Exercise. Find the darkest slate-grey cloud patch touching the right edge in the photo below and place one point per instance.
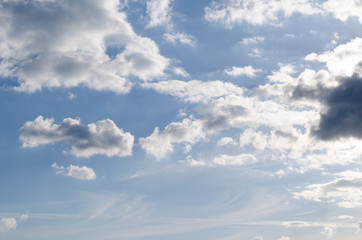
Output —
(343, 117)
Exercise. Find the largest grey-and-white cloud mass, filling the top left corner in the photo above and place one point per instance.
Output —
(46, 44)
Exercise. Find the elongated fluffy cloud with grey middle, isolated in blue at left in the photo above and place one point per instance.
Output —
(102, 137)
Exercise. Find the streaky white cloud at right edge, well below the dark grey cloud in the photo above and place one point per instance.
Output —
(345, 190)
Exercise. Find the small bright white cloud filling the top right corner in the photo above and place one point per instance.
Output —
(343, 10)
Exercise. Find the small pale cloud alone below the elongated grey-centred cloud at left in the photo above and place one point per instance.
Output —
(83, 173)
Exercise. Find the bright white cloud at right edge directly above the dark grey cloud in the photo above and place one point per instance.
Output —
(343, 60)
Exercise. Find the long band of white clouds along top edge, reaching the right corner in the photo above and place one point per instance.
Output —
(230, 12)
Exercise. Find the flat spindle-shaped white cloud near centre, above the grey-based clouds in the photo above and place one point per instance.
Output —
(195, 90)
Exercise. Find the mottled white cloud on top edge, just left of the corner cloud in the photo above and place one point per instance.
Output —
(229, 12)
